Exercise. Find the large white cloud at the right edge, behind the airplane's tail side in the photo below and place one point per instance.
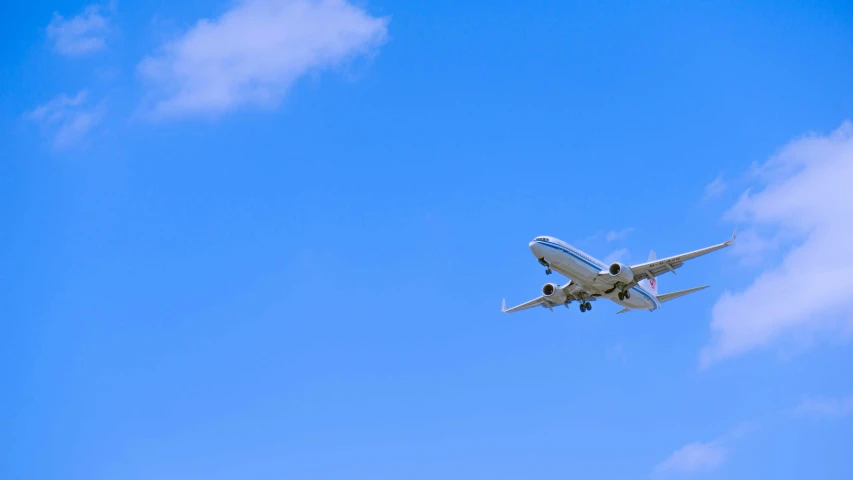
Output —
(806, 195)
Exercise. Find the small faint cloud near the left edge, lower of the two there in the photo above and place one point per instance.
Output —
(67, 119)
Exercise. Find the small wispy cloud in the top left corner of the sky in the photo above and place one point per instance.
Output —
(82, 34)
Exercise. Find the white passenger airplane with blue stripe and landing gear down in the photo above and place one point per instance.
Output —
(633, 287)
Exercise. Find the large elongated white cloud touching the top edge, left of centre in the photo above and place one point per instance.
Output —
(252, 54)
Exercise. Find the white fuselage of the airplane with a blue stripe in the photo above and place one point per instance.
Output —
(583, 270)
